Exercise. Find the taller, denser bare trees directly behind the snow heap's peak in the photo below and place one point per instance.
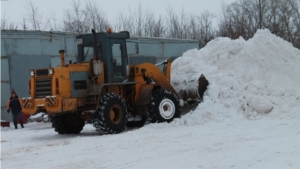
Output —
(244, 17)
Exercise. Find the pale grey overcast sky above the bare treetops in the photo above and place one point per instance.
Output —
(15, 9)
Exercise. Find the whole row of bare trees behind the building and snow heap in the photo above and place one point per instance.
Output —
(240, 18)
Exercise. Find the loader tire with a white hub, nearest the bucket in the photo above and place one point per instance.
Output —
(163, 106)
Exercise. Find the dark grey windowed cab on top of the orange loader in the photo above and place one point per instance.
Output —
(109, 48)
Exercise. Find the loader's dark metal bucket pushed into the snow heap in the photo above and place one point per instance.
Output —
(193, 90)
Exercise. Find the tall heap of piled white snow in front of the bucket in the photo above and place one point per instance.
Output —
(247, 78)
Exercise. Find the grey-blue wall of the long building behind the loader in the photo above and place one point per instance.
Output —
(25, 50)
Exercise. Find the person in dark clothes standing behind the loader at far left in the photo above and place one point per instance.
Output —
(14, 103)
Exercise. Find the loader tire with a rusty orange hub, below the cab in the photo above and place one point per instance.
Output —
(111, 116)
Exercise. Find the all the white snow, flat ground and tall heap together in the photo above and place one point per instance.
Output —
(250, 118)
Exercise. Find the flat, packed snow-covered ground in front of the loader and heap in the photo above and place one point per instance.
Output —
(264, 143)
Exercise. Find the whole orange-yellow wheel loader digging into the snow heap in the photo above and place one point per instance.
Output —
(102, 89)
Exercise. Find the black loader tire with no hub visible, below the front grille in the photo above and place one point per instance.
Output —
(70, 123)
